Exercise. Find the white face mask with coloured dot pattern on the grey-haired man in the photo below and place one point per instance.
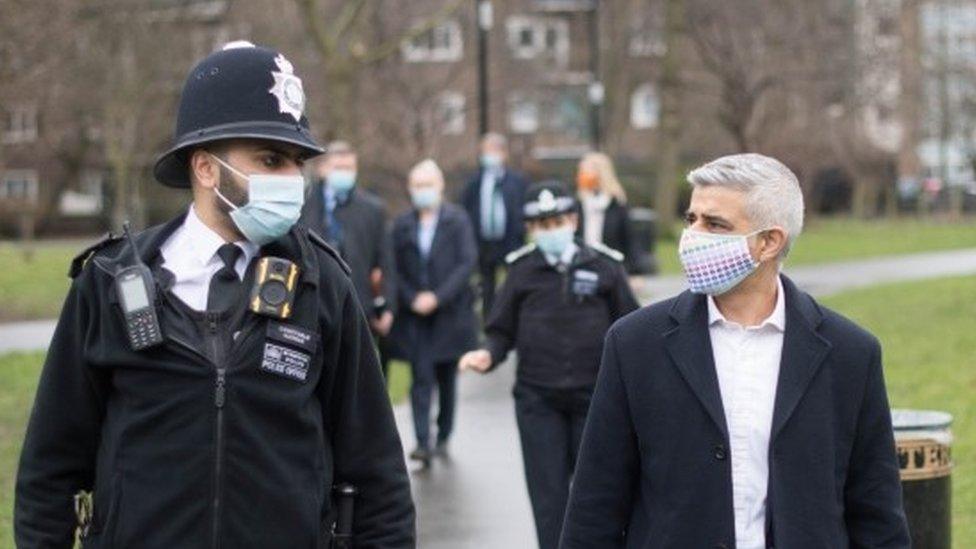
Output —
(715, 263)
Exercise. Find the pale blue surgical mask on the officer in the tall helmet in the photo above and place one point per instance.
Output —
(274, 204)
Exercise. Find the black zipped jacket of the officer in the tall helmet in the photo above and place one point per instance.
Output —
(184, 452)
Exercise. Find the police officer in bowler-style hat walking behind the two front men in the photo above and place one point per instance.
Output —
(554, 308)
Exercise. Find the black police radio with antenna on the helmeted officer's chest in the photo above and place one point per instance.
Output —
(135, 286)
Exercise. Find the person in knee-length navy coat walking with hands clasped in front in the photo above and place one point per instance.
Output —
(435, 256)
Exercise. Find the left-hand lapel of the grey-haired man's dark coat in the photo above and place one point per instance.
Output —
(690, 347)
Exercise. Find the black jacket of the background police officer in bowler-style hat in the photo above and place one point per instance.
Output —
(556, 320)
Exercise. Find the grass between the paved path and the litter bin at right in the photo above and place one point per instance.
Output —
(928, 330)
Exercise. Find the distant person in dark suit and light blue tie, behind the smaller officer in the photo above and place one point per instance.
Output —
(493, 199)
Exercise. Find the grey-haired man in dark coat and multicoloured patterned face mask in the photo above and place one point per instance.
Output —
(740, 413)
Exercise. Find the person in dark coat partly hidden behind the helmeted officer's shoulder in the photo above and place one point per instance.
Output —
(353, 220)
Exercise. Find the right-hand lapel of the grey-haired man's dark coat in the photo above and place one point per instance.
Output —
(804, 351)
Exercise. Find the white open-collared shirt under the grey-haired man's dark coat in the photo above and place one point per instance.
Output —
(747, 361)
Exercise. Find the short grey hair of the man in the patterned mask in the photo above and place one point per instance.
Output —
(773, 195)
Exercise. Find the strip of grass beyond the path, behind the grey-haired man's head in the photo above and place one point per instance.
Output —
(830, 240)
